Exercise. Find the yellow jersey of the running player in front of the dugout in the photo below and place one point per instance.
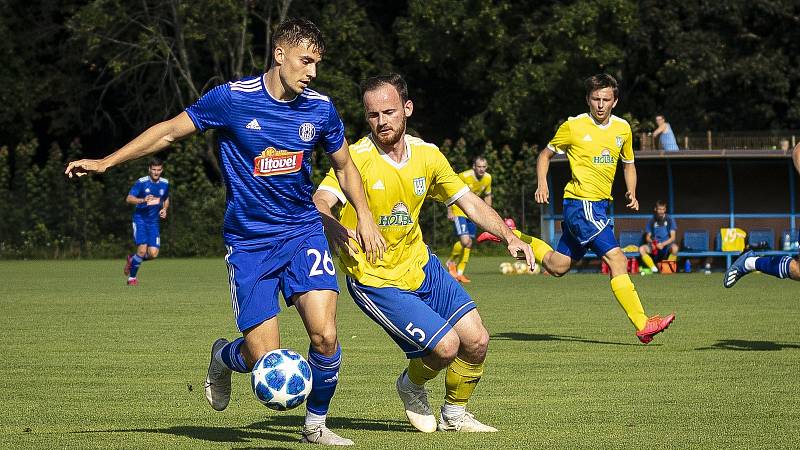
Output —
(592, 151)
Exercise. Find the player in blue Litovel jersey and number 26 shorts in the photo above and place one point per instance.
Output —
(268, 127)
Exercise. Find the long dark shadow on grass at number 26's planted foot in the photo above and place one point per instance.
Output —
(278, 428)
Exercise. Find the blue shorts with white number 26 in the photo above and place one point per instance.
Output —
(293, 266)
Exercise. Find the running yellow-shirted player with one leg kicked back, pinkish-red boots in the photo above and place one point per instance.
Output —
(593, 143)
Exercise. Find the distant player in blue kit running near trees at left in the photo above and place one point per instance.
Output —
(150, 194)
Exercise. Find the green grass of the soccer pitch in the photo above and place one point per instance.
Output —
(88, 362)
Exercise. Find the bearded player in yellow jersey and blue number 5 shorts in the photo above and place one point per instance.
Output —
(408, 292)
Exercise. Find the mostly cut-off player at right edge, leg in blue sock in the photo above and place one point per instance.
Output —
(777, 266)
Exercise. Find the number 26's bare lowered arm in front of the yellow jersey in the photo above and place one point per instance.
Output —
(369, 236)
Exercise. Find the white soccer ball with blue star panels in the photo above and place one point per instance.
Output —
(281, 379)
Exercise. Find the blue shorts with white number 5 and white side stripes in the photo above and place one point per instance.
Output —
(416, 320)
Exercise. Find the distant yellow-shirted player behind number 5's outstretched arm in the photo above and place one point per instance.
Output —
(480, 183)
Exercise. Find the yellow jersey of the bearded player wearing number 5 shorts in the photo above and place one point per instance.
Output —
(395, 193)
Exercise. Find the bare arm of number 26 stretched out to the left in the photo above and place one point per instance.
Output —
(153, 140)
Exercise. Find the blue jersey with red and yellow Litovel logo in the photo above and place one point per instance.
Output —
(266, 146)
